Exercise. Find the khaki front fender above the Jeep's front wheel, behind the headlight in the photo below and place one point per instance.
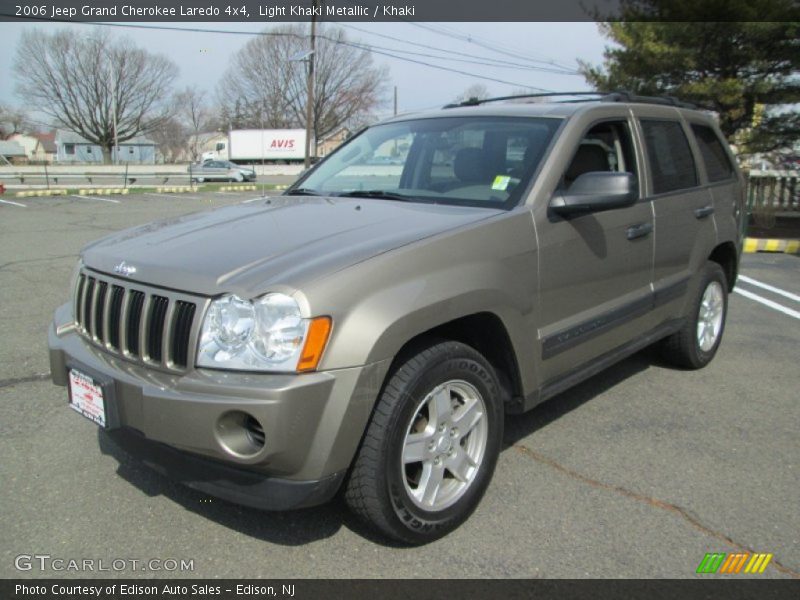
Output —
(379, 305)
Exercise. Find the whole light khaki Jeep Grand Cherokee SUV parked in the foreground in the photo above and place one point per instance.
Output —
(368, 330)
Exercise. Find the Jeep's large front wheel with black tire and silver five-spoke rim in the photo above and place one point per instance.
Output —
(431, 447)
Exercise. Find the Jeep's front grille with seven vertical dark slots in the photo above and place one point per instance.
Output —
(152, 326)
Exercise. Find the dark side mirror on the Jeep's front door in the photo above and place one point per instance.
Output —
(595, 191)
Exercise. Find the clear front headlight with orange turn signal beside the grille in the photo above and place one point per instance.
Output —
(267, 334)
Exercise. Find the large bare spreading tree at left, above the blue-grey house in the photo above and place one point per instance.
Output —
(94, 86)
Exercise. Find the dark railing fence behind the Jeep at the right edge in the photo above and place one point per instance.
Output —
(770, 193)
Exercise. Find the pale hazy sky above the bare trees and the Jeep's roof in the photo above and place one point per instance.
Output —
(202, 57)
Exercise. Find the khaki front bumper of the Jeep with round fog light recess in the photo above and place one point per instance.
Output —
(186, 424)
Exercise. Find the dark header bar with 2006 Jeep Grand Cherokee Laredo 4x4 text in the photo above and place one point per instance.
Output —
(274, 11)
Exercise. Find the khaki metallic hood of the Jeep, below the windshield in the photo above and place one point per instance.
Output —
(247, 248)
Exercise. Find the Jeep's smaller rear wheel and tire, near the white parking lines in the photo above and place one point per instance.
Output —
(696, 343)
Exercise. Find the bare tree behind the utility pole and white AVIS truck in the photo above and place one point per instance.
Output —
(265, 87)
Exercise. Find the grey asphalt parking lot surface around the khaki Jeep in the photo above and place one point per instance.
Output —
(636, 473)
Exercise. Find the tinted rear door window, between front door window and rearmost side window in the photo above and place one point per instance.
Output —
(672, 165)
